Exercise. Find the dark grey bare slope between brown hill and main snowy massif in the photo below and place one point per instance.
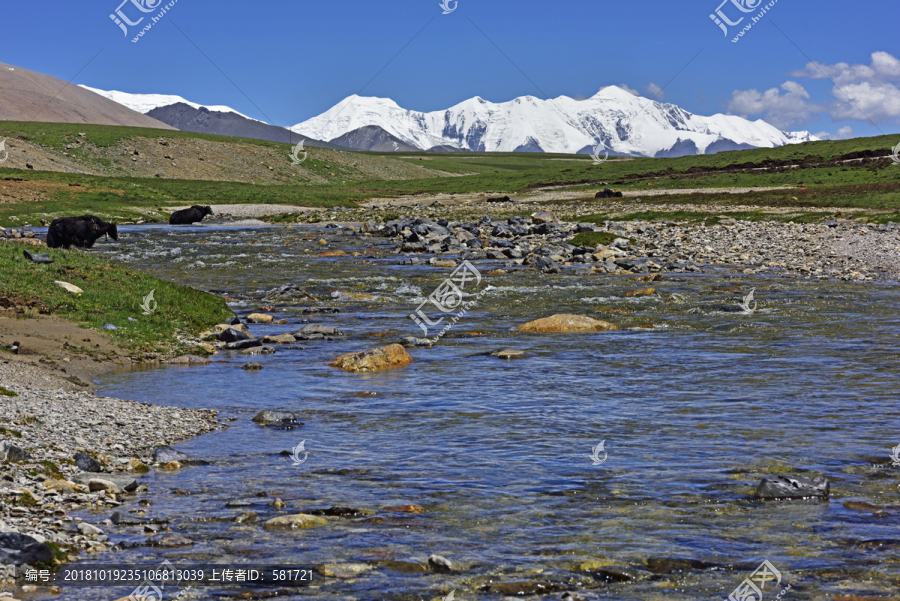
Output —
(204, 121)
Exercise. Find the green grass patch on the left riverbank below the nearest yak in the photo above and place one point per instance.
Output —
(112, 294)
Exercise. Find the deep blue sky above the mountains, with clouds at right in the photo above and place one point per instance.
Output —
(285, 62)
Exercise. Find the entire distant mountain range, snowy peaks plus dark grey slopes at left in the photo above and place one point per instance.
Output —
(613, 121)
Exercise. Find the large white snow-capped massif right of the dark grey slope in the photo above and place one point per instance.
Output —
(616, 120)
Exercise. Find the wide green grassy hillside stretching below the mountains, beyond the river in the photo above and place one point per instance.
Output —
(845, 173)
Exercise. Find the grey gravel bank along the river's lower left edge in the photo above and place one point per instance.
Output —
(37, 491)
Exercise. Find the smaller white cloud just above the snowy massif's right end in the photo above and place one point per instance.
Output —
(781, 110)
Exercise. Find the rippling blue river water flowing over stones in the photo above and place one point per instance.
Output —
(693, 413)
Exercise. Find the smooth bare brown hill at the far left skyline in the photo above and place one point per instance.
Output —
(29, 96)
